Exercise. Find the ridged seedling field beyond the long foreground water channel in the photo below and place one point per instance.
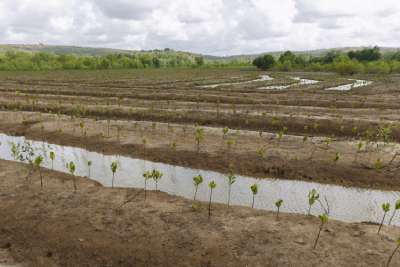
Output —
(166, 106)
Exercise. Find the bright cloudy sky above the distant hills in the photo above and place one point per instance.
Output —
(214, 27)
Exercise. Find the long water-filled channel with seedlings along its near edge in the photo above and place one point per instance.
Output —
(346, 204)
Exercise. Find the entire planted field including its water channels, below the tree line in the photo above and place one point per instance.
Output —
(295, 127)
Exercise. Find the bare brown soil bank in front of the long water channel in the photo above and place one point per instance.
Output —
(54, 226)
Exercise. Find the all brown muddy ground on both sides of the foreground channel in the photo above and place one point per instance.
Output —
(54, 226)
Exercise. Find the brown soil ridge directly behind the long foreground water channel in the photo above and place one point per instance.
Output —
(213, 153)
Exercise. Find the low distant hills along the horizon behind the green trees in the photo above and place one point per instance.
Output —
(94, 51)
